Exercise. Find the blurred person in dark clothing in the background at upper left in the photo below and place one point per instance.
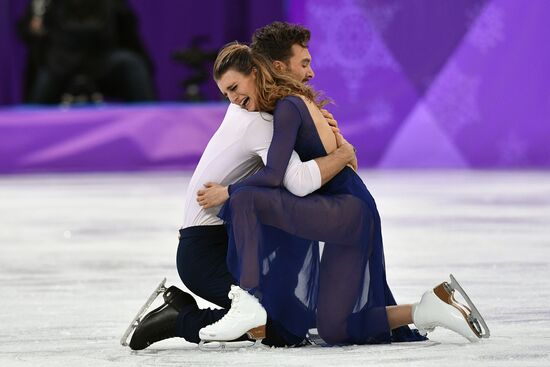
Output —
(85, 46)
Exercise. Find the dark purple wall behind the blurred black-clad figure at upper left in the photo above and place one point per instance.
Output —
(165, 26)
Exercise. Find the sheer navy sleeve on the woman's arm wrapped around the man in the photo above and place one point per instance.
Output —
(286, 122)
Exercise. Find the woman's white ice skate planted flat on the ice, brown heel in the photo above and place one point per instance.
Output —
(244, 323)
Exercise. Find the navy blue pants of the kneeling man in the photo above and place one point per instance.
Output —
(202, 267)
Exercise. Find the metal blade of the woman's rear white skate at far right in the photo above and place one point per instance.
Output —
(470, 312)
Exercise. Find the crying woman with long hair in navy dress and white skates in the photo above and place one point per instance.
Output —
(346, 296)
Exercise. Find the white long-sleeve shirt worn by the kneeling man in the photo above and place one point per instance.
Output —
(236, 150)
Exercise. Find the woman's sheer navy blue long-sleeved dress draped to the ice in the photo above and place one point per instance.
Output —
(274, 251)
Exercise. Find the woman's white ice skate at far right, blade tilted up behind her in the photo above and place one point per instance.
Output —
(438, 307)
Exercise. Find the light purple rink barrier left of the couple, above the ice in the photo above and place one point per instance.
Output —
(116, 138)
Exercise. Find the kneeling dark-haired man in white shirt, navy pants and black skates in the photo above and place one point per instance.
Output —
(235, 151)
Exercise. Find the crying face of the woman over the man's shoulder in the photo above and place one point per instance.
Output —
(239, 88)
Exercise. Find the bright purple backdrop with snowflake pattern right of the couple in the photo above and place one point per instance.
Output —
(431, 83)
